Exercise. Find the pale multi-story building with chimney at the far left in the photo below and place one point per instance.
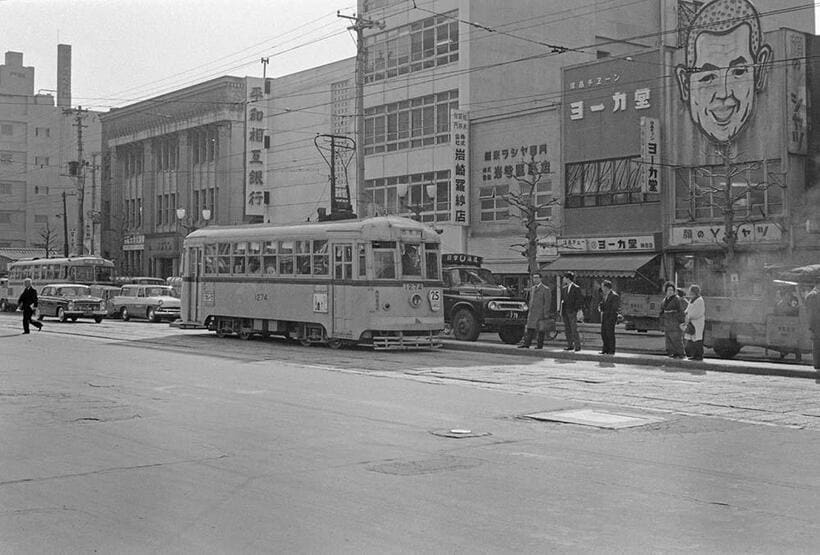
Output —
(38, 139)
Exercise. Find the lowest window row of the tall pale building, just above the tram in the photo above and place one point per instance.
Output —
(422, 195)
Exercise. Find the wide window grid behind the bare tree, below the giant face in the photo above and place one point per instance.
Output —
(757, 191)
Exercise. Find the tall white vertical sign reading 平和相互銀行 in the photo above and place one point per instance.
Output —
(256, 158)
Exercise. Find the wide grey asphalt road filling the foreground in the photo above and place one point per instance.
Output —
(133, 438)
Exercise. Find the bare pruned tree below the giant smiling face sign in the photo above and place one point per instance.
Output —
(727, 189)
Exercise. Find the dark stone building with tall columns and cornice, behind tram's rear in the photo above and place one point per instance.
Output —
(173, 163)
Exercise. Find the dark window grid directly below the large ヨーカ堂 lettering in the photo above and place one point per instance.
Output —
(605, 182)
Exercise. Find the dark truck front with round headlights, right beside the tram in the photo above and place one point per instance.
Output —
(475, 301)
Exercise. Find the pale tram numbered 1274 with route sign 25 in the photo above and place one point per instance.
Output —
(374, 282)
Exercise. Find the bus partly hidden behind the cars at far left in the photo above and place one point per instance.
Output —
(85, 270)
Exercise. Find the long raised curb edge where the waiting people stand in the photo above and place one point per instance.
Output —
(643, 359)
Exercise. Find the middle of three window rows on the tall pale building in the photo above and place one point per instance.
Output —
(413, 123)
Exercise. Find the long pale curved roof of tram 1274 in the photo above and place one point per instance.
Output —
(375, 224)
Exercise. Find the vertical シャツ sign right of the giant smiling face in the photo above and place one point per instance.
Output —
(796, 119)
